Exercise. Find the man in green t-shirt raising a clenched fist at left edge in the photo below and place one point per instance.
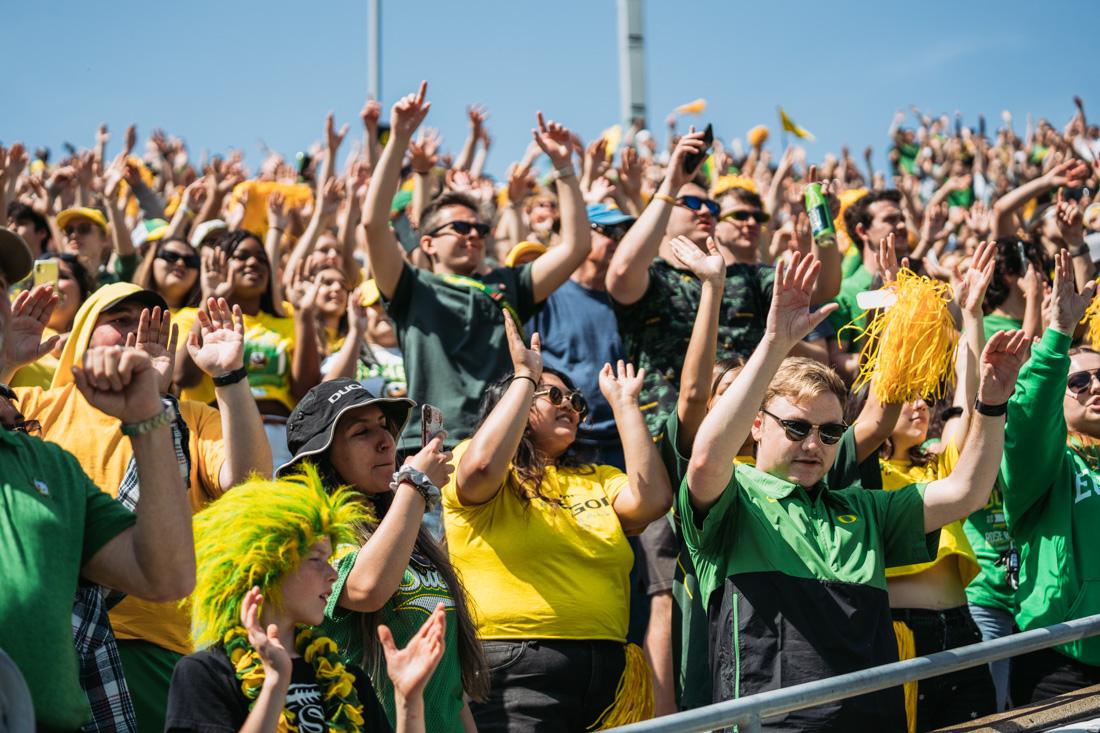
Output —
(60, 528)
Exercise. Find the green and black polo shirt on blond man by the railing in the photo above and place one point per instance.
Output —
(795, 586)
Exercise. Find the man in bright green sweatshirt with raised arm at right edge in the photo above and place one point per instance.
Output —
(1052, 495)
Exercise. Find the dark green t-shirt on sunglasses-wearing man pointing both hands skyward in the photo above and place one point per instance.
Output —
(453, 338)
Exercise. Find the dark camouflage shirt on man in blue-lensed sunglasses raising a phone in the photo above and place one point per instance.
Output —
(656, 331)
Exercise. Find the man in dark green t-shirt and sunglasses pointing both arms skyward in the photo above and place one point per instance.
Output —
(450, 322)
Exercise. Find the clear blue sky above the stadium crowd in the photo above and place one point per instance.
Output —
(230, 74)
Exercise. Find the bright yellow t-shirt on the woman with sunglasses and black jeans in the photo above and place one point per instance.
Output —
(545, 570)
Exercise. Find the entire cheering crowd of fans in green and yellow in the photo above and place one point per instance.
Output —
(676, 464)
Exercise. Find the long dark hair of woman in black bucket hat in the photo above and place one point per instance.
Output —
(471, 657)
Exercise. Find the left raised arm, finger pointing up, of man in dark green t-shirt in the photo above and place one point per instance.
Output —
(386, 254)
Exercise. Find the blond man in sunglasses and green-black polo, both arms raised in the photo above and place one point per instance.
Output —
(793, 571)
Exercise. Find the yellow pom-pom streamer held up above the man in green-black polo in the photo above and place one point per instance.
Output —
(909, 349)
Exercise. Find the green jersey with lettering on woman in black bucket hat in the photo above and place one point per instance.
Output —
(422, 589)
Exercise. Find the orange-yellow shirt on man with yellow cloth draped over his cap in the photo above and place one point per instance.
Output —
(105, 454)
